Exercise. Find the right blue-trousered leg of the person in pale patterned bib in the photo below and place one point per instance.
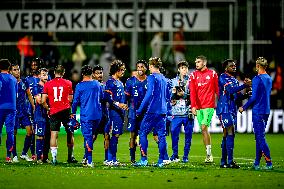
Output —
(188, 130)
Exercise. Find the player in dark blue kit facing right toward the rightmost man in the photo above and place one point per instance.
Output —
(230, 96)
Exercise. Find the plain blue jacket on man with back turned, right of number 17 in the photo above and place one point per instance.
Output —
(88, 94)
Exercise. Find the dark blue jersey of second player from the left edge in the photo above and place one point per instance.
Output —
(22, 99)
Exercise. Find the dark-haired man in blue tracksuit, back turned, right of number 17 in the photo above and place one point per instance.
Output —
(88, 95)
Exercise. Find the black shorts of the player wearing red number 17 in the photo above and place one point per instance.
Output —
(58, 118)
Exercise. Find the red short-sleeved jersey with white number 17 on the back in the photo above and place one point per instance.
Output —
(58, 91)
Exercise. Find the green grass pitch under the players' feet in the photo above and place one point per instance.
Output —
(195, 174)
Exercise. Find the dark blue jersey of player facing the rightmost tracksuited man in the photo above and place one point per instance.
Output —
(229, 94)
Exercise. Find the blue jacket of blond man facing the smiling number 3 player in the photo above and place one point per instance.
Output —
(157, 95)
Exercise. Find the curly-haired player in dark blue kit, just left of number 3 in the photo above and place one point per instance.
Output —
(116, 98)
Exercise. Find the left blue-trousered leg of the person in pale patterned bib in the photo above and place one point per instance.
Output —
(175, 131)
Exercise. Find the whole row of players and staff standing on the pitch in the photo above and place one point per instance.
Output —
(154, 103)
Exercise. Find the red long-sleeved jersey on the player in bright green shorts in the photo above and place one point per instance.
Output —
(203, 87)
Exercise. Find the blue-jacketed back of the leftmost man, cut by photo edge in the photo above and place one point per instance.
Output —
(8, 91)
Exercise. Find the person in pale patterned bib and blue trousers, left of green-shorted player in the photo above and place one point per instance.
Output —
(181, 111)
